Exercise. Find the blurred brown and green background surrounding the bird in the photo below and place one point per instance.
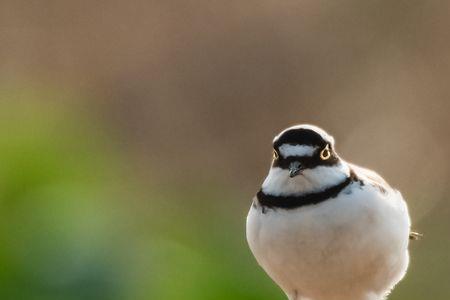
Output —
(133, 135)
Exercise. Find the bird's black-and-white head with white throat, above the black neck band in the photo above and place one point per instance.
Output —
(304, 160)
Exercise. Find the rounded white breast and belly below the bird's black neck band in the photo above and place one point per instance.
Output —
(351, 247)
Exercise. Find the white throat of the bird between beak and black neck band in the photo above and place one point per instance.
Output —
(278, 182)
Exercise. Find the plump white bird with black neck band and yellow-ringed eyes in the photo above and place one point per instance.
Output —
(326, 229)
